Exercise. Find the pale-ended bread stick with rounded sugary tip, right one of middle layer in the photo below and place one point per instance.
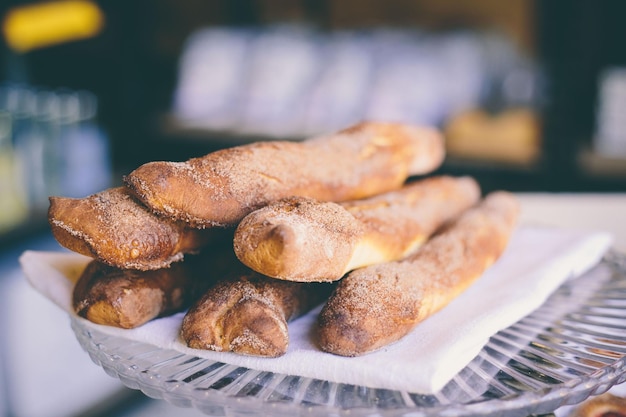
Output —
(300, 239)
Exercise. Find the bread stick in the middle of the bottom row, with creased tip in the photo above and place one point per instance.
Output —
(248, 314)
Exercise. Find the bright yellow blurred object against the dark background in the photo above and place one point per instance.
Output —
(44, 24)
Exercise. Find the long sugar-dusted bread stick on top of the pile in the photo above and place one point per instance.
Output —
(222, 187)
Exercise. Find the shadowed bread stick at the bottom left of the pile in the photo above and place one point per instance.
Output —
(128, 298)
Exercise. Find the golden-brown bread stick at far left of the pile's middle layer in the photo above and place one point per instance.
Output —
(116, 229)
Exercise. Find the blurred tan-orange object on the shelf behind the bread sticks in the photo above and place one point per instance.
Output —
(512, 136)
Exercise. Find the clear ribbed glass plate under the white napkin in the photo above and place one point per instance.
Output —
(573, 347)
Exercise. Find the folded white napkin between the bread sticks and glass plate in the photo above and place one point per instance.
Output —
(537, 261)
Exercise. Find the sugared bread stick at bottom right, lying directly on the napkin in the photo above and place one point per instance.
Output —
(377, 305)
